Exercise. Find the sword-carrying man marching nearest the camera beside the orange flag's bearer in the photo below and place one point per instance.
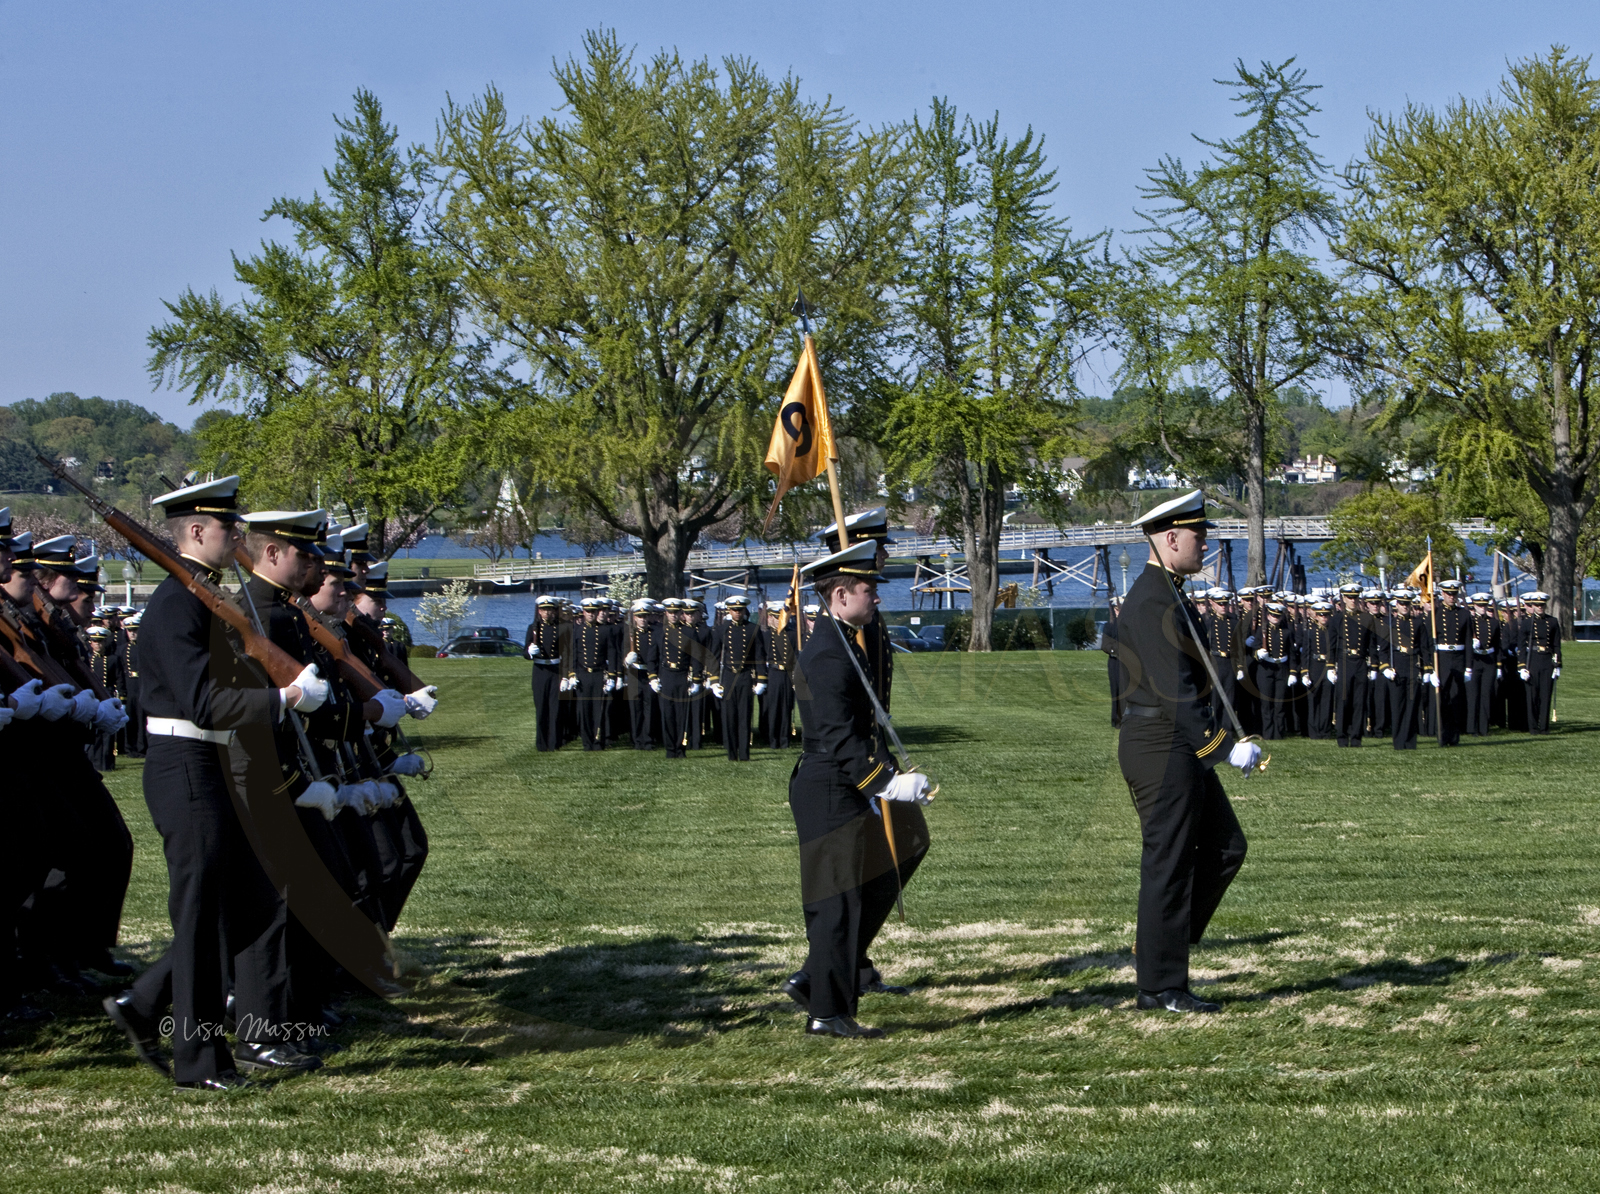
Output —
(839, 793)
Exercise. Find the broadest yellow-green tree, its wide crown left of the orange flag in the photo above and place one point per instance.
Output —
(642, 252)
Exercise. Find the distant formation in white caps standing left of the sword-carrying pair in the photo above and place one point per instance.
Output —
(662, 673)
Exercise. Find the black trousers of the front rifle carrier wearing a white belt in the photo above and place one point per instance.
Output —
(225, 915)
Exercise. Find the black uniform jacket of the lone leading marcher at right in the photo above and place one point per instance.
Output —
(1164, 667)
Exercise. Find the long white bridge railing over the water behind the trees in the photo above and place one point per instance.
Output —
(783, 555)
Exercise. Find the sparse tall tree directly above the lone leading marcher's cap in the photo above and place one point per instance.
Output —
(1226, 305)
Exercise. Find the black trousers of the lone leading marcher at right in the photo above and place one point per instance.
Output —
(1193, 847)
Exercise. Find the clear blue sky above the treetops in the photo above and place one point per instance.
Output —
(142, 142)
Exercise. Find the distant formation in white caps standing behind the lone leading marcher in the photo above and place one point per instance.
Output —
(1375, 663)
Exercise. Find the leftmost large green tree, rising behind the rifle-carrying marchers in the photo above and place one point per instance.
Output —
(348, 358)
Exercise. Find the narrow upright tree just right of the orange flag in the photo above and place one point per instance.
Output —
(999, 300)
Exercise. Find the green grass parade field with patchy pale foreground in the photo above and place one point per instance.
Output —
(1410, 966)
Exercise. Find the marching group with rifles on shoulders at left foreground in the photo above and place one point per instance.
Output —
(273, 775)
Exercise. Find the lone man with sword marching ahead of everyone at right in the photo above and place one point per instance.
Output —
(1169, 750)
